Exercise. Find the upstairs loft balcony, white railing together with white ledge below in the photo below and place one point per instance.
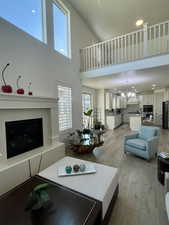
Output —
(144, 48)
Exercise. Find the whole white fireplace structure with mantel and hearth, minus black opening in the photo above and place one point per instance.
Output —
(18, 169)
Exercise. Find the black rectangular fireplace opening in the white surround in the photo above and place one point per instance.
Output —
(23, 136)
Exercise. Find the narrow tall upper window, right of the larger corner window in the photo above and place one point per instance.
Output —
(61, 28)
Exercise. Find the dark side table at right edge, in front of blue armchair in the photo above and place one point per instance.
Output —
(163, 166)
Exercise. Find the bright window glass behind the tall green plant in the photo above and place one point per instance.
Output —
(86, 105)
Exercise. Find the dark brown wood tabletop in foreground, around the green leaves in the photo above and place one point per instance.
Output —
(68, 207)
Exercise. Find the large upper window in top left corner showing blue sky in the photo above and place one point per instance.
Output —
(25, 14)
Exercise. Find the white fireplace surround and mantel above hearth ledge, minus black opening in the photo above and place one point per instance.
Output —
(14, 108)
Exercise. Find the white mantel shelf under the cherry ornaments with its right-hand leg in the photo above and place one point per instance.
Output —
(25, 102)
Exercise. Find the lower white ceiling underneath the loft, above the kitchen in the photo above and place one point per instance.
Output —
(142, 80)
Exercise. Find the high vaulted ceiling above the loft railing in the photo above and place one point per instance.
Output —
(109, 18)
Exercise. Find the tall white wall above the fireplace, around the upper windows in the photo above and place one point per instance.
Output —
(39, 63)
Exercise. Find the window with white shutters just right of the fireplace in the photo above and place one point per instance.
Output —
(65, 108)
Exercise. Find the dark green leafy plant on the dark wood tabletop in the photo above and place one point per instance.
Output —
(38, 198)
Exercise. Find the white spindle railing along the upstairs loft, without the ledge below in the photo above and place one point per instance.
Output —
(149, 41)
